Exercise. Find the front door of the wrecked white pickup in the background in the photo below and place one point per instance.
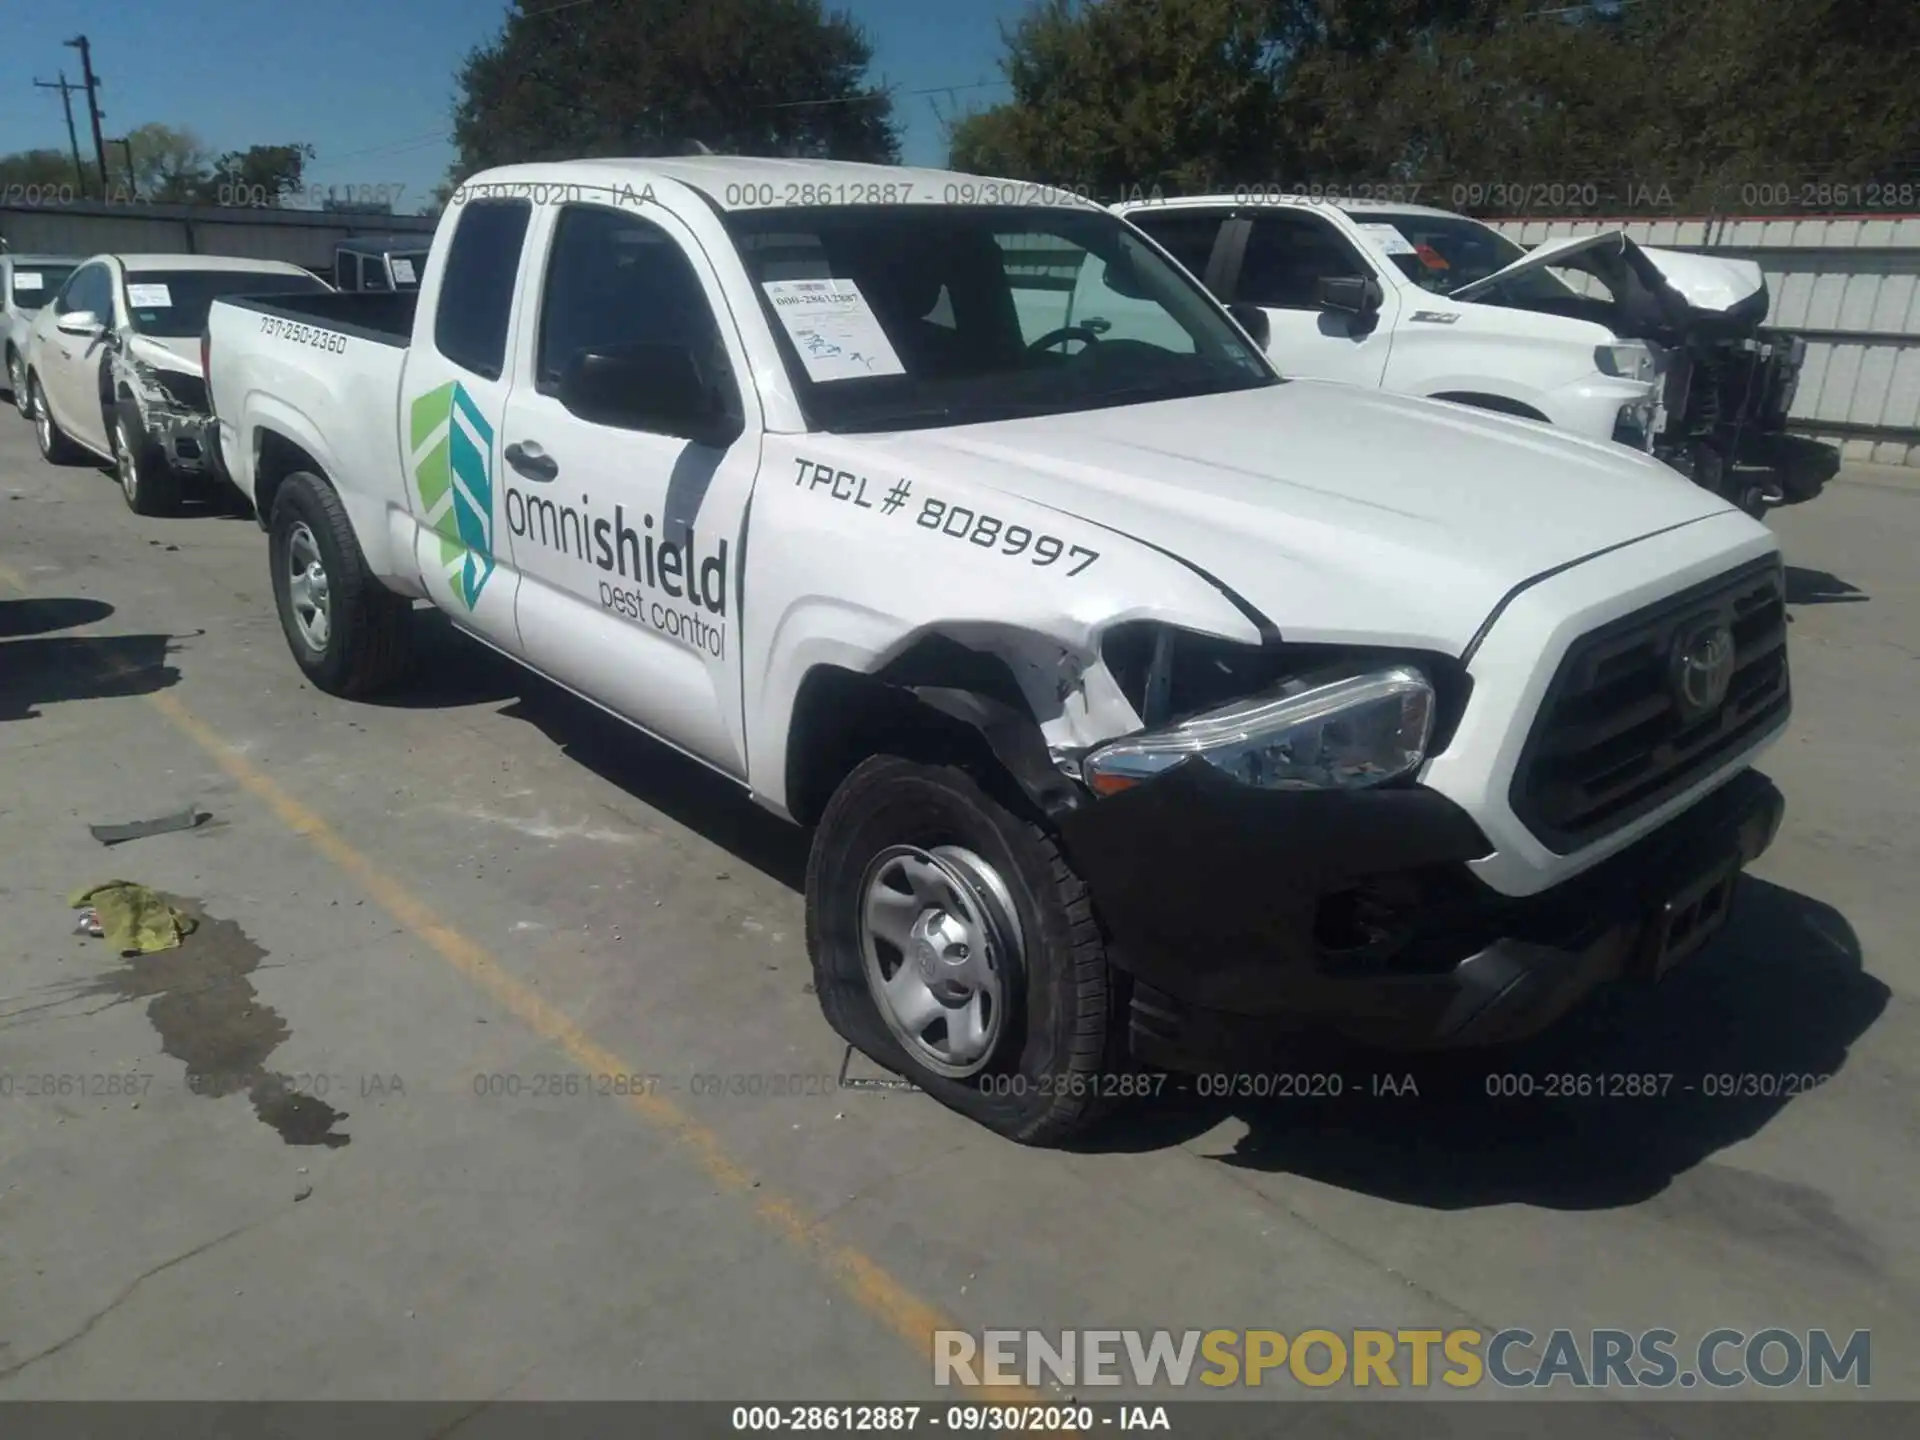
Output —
(1285, 256)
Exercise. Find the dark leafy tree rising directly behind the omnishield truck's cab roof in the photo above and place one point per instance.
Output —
(636, 78)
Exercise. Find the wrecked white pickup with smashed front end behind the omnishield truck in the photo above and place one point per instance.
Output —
(1662, 350)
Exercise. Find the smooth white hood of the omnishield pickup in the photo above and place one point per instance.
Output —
(1341, 516)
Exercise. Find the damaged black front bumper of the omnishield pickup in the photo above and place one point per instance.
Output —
(1243, 915)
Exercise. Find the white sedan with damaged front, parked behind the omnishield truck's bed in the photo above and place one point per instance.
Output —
(114, 366)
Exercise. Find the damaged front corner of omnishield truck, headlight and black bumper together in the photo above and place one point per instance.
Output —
(1272, 867)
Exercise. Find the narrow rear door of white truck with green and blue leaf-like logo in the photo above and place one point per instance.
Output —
(454, 393)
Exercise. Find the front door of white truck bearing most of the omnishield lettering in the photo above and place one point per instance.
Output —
(629, 542)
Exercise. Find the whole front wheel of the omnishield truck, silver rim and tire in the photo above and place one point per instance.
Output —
(953, 944)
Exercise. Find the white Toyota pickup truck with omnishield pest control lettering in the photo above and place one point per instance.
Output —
(1143, 704)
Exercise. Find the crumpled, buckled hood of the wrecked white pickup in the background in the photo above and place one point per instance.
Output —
(1654, 291)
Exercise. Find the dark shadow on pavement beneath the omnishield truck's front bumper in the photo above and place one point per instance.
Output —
(1723, 1045)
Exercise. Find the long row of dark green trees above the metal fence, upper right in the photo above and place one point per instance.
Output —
(1691, 99)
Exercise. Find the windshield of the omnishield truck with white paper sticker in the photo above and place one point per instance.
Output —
(913, 316)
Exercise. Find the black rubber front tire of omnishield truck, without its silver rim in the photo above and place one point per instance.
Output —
(1044, 1076)
